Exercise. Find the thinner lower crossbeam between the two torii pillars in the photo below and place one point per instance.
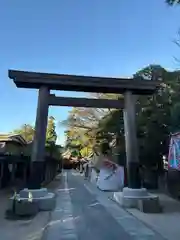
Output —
(85, 102)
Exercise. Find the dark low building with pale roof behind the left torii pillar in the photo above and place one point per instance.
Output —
(15, 161)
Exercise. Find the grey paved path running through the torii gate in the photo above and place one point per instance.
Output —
(84, 213)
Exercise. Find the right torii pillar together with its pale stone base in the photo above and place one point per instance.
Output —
(133, 192)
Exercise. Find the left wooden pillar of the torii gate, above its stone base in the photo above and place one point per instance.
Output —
(38, 150)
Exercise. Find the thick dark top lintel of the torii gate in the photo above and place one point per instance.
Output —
(24, 79)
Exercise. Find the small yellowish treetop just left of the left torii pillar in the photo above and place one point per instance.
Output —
(26, 131)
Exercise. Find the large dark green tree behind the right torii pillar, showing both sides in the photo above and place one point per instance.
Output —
(154, 113)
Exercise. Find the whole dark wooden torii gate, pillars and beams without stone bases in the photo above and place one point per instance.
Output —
(46, 82)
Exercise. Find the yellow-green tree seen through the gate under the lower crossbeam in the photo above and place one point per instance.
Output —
(83, 125)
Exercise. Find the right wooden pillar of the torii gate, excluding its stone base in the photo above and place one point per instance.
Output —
(132, 158)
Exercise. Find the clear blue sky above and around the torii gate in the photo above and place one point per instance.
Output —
(89, 37)
